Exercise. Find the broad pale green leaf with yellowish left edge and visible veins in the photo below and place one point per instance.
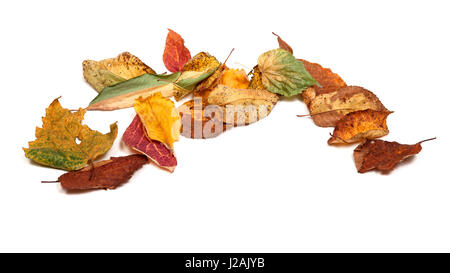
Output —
(282, 74)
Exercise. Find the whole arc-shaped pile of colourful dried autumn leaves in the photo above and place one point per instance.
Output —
(222, 98)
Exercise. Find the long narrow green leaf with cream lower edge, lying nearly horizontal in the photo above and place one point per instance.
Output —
(124, 94)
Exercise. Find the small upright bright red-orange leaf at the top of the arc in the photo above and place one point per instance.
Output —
(175, 53)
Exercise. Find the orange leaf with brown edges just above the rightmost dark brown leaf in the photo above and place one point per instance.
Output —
(360, 125)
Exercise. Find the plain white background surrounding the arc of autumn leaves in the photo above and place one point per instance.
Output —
(274, 186)
